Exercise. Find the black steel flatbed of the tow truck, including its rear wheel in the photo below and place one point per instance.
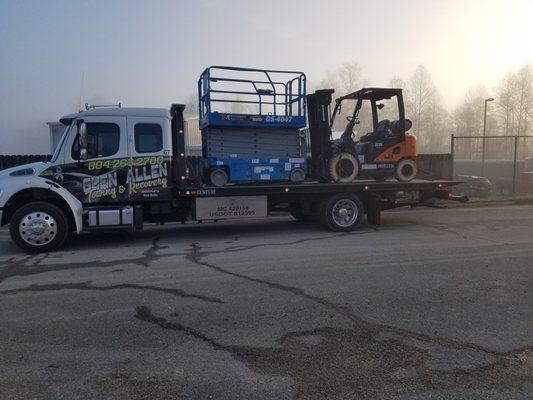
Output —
(338, 206)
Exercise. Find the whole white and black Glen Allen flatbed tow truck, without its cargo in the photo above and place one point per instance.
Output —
(118, 168)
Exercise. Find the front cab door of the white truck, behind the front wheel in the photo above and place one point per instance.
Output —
(103, 176)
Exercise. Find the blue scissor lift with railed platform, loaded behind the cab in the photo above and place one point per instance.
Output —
(251, 121)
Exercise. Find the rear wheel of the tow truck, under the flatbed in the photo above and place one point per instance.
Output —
(342, 212)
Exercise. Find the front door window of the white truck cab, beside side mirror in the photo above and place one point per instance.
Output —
(103, 140)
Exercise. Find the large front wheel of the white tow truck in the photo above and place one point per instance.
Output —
(39, 227)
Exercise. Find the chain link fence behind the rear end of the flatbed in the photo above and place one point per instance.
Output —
(493, 165)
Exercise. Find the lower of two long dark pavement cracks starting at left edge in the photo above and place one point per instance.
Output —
(89, 286)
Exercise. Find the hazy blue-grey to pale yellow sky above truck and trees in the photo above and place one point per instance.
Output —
(150, 53)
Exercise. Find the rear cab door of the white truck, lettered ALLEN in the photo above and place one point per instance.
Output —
(150, 143)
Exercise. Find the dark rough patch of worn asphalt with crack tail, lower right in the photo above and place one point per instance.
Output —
(342, 363)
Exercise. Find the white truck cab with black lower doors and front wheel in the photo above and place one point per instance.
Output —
(106, 157)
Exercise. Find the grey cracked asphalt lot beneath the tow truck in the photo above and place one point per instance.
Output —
(433, 304)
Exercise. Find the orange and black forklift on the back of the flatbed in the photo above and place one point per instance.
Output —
(388, 151)
